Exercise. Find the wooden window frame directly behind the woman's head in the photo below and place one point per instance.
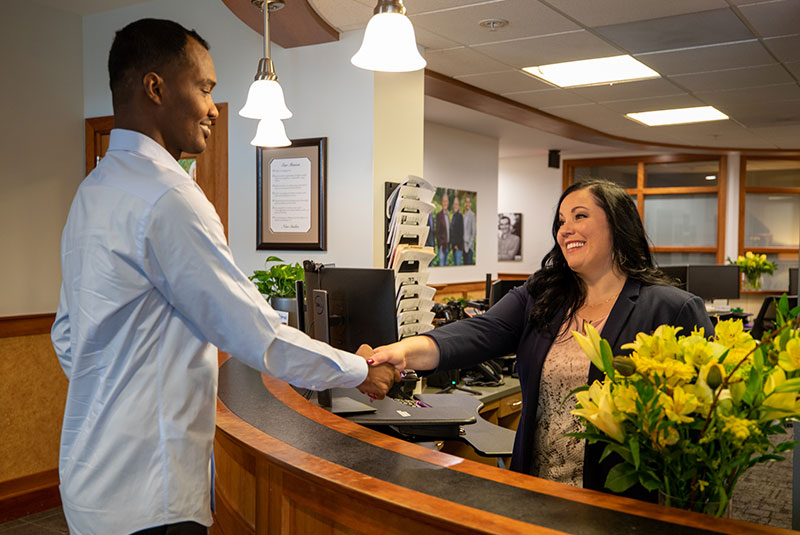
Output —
(641, 191)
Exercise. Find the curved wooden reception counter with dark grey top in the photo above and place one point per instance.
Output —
(286, 466)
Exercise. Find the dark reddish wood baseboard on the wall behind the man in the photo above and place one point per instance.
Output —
(28, 495)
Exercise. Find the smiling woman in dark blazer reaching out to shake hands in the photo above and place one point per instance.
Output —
(599, 271)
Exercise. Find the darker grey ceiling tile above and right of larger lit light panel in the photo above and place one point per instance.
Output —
(678, 31)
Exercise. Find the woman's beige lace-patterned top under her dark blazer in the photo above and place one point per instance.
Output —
(566, 367)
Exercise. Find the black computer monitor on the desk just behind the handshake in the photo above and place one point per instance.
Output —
(360, 305)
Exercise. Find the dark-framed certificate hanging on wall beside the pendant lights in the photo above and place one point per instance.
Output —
(312, 233)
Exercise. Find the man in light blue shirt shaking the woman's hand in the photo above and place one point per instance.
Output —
(149, 289)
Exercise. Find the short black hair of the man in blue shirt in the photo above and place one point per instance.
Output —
(146, 45)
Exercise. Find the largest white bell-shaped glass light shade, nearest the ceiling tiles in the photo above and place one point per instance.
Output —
(389, 45)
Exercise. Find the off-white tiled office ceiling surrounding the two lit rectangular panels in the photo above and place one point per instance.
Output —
(741, 56)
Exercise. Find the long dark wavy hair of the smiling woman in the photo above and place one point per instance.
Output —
(555, 286)
